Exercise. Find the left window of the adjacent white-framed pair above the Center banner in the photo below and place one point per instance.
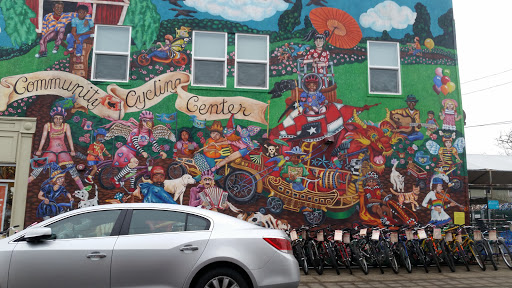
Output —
(209, 58)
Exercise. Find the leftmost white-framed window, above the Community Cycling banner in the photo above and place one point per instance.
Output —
(111, 56)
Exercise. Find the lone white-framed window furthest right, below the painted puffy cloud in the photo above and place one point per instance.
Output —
(384, 75)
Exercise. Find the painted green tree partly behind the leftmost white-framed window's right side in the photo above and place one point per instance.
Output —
(143, 16)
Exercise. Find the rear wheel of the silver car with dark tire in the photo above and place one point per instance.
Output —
(221, 277)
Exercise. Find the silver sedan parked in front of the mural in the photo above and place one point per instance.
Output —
(147, 245)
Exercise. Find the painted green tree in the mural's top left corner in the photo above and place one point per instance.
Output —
(17, 22)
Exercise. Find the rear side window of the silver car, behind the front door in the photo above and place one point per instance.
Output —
(158, 221)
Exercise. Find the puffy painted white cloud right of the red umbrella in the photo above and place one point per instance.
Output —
(386, 16)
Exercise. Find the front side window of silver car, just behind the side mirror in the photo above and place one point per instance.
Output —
(92, 224)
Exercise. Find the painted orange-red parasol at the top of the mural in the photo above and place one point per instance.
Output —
(343, 28)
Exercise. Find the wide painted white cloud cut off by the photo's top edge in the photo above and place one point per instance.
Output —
(239, 10)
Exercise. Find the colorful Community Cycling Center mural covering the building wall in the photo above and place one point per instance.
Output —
(315, 148)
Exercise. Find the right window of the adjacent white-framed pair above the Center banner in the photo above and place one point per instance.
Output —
(251, 61)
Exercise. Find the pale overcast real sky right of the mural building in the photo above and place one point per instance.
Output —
(484, 48)
